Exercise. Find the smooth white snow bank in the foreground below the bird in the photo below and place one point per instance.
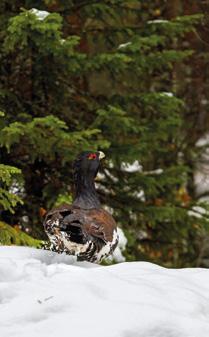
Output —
(43, 294)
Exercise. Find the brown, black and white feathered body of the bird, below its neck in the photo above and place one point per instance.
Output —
(90, 234)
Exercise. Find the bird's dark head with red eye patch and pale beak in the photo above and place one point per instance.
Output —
(87, 163)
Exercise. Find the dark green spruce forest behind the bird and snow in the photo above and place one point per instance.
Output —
(130, 78)
